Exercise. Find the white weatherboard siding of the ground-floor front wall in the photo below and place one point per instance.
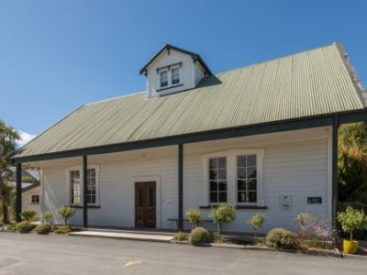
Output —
(295, 163)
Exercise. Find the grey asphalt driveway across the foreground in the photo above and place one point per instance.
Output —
(34, 254)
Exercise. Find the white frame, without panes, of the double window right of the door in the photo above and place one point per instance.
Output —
(232, 188)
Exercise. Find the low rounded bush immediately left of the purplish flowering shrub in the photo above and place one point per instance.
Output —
(281, 238)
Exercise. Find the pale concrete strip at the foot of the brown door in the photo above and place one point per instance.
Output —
(124, 235)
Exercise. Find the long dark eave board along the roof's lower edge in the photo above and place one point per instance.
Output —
(264, 128)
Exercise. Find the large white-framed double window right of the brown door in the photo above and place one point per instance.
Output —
(234, 176)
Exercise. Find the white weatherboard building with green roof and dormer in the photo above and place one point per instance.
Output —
(261, 137)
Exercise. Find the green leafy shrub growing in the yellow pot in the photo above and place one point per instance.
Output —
(351, 220)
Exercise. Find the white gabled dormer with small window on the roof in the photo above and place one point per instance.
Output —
(172, 70)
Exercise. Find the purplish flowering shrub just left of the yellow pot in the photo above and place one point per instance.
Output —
(314, 229)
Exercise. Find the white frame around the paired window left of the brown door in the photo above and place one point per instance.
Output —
(80, 169)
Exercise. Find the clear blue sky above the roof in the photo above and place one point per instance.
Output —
(58, 55)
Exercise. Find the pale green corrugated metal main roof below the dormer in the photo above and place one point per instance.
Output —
(310, 83)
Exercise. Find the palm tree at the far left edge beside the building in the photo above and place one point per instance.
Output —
(8, 138)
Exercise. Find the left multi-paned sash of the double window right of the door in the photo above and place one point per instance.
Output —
(218, 180)
